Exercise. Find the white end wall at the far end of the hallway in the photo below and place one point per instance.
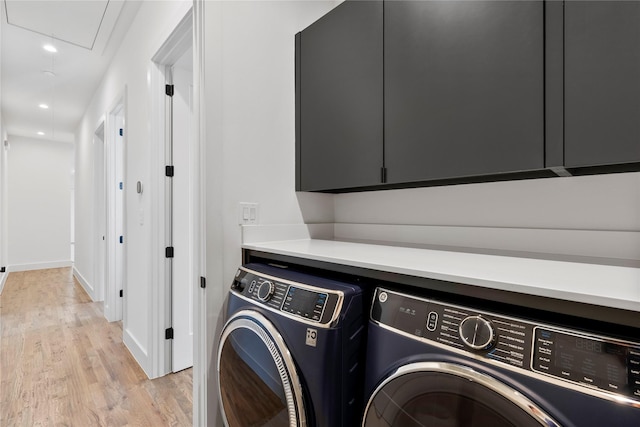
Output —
(39, 182)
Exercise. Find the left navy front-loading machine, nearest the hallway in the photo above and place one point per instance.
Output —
(290, 353)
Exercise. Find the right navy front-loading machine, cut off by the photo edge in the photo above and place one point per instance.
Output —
(432, 364)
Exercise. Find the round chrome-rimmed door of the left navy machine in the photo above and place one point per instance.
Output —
(257, 380)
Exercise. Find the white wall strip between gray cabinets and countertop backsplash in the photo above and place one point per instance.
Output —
(596, 202)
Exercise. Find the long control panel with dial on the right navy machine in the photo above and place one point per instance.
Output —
(590, 361)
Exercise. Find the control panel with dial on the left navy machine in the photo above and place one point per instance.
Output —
(297, 299)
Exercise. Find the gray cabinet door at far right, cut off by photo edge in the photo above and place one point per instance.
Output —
(602, 82)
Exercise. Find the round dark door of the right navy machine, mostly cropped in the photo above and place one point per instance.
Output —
(432, 394)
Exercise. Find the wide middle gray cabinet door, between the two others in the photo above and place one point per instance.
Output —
(463, 88)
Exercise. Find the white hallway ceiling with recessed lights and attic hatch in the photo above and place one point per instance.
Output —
(86, 34)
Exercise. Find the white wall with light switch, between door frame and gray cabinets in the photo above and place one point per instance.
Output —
(250, 137)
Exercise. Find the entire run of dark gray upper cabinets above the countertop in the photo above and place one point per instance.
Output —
(409, 93)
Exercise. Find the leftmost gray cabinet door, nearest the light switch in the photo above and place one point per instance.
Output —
(339, 99)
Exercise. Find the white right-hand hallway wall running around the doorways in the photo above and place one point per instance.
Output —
(130, 68)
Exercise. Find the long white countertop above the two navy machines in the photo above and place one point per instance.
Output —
(605, 285)
